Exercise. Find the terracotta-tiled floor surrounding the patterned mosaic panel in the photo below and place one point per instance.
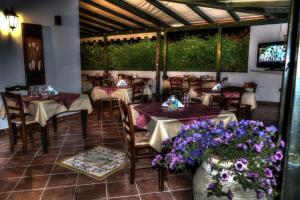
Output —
(36, 176)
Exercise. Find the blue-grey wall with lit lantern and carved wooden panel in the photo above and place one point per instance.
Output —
(61, 44)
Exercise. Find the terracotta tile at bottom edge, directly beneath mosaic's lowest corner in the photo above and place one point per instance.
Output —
(89, 192)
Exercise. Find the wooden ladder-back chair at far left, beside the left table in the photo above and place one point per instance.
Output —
(19, 121)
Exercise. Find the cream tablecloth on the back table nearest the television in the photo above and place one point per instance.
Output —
(248, 98)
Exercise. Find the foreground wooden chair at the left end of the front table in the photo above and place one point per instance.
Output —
(136, 141)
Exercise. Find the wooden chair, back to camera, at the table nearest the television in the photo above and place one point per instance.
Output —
(233, 96)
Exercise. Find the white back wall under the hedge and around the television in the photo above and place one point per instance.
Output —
(268, 83)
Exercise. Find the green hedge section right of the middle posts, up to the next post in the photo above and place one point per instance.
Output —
(192, 53)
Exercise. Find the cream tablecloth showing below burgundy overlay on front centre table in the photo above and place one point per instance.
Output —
(163, 128)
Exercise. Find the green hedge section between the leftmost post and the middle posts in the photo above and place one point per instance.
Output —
(136, 56)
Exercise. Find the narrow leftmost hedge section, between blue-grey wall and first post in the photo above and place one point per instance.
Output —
(92, 56)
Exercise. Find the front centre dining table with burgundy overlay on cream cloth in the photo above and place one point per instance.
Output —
(163, 123)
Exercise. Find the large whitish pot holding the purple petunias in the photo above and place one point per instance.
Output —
(203, 177)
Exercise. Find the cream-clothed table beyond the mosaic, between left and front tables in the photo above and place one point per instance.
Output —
(122, 93)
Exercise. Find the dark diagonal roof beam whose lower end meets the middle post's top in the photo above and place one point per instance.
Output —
(130, 8)
